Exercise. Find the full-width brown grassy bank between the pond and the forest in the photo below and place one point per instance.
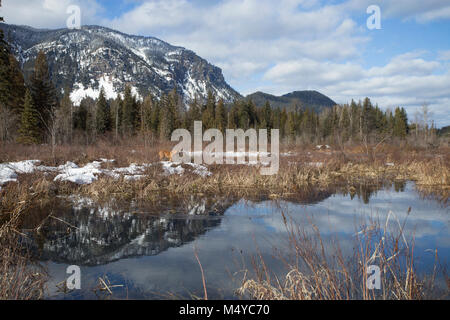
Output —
(299, 168)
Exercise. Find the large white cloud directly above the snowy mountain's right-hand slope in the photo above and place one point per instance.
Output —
(247, 37)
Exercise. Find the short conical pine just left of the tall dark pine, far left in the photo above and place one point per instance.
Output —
(29, 131)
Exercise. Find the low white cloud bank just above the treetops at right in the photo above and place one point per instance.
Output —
(407, 81)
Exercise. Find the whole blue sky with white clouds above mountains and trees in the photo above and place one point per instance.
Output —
(278, 46)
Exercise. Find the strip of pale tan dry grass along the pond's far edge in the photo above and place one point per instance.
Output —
(246, 182)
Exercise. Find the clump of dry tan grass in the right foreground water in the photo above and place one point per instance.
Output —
(319, 271)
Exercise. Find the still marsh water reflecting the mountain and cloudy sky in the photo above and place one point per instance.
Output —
(149, 253)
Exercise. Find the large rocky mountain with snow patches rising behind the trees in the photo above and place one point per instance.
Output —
(91, 57)
